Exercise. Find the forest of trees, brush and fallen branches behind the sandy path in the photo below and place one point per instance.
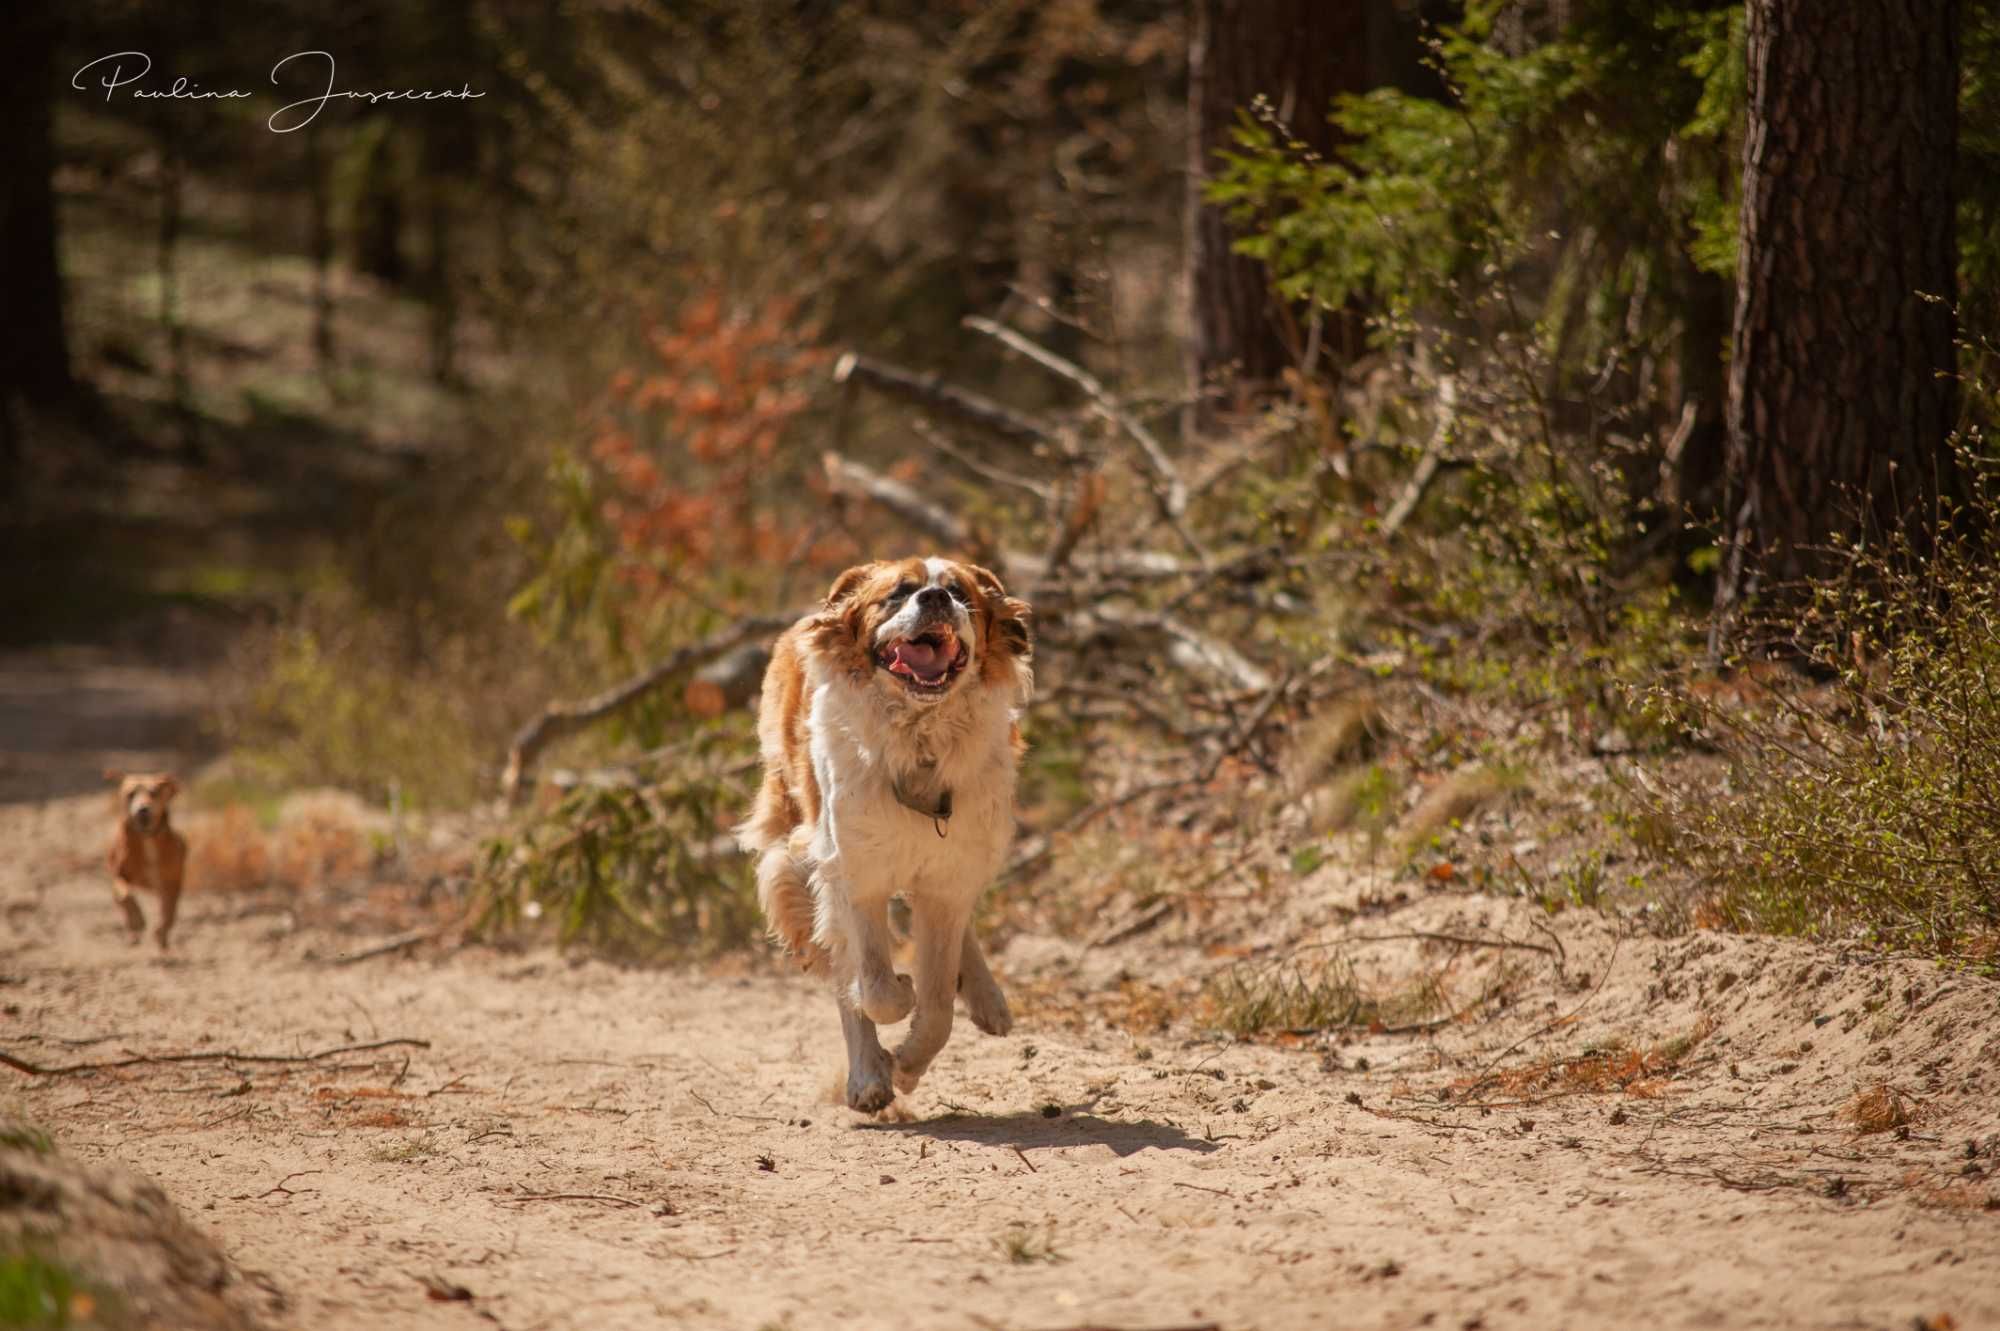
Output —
(1531, 447)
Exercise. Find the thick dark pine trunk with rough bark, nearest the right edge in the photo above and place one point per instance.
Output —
(1841, 397)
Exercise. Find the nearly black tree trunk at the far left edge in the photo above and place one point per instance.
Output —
(35, 361)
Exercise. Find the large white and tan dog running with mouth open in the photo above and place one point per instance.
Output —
(891, 746)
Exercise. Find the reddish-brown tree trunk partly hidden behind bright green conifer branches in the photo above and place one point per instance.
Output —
(1297, 55)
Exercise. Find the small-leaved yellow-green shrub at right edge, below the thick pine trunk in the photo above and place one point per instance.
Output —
(1863, 790)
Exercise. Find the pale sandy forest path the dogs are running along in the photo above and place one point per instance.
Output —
(583, 1146)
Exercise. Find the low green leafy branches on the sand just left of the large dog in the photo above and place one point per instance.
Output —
(637, 870)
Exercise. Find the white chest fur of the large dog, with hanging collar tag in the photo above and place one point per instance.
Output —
(861, 756)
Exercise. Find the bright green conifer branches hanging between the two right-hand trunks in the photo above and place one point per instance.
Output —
(1543, 157)
